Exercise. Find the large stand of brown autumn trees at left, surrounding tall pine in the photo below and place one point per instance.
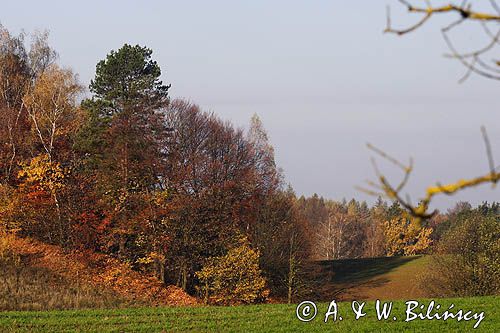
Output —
(159, 185)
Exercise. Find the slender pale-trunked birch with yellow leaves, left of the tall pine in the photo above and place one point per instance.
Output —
(51, 106)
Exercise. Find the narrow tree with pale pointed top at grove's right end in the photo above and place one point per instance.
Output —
(277, 227)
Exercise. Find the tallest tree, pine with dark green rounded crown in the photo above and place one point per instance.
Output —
(121, 141)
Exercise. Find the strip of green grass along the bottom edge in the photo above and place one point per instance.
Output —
(258, 318)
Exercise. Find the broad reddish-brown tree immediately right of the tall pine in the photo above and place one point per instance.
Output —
(211, 175)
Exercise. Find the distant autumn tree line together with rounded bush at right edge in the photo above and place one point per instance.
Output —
(463, 242)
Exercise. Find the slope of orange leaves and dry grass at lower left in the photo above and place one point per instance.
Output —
(42, 276)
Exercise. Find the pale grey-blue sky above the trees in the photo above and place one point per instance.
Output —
(321, 75)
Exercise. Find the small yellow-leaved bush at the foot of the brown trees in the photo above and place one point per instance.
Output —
(234, 278)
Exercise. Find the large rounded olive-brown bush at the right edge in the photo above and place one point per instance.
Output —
(467, 262)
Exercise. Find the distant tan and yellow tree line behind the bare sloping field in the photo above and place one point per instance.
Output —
(352, 229)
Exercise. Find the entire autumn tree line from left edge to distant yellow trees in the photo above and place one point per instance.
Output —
(169, 189)
